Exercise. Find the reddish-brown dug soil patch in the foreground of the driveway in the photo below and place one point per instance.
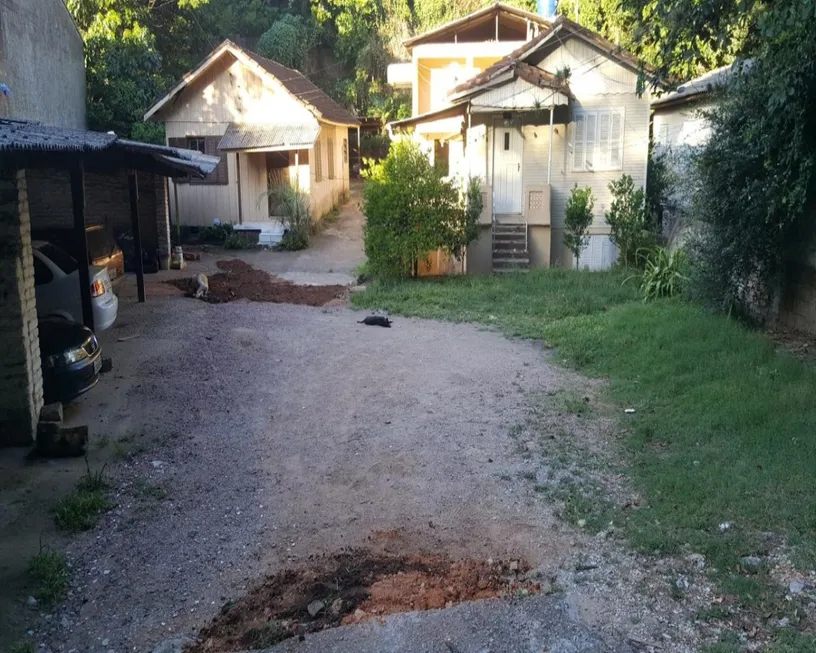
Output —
(351, 587)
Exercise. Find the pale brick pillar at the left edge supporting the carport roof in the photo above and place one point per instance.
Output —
(21, 396)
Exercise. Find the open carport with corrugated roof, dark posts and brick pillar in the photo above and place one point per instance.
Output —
(26, 145)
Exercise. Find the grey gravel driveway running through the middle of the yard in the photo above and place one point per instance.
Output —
(257, 439)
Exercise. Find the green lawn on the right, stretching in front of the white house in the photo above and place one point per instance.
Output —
(723, 423)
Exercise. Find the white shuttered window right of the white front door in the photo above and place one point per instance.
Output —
(597, 140)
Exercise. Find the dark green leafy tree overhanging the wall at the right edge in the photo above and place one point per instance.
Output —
(756, 190)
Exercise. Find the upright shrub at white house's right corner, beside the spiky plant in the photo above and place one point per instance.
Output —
(628, 216)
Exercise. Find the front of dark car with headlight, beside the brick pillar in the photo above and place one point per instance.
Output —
(71, 359)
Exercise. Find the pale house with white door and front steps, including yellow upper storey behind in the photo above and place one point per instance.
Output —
(531, 107)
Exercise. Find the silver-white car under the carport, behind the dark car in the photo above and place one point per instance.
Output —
(56, 282)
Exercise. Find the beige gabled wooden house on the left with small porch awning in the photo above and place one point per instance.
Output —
(268, 123)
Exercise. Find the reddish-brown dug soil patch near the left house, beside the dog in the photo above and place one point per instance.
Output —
(239, 280)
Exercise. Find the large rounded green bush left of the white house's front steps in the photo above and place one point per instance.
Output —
(411, 211)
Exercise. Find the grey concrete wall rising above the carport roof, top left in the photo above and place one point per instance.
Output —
(42, 61)
